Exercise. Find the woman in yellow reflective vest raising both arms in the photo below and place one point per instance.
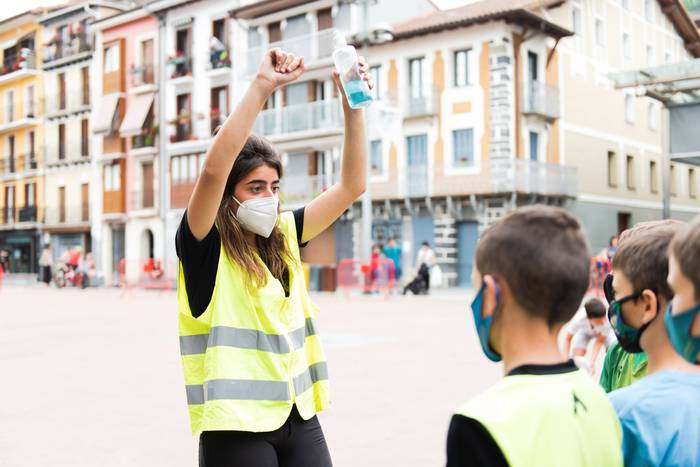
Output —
(255, 372)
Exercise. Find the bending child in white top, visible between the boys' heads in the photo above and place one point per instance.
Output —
(584, 329)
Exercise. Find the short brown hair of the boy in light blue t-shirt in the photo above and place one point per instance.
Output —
(643, 255)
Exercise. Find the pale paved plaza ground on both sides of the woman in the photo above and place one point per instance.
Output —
(93, 377)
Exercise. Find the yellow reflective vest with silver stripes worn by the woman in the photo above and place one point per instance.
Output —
(252, 354)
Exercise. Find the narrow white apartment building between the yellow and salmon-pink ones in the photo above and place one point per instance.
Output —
(67, 62)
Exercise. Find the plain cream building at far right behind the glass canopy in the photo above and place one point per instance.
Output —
(613, 137)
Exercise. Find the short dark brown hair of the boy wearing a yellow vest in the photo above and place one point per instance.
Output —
(541, 252)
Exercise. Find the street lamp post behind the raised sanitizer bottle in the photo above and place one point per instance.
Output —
(380, 34)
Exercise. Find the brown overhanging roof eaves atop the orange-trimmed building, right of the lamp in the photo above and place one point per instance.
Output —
(518, 11)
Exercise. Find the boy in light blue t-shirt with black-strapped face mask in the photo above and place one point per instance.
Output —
(660, 413)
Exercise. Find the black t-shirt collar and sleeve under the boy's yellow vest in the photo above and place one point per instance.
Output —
(469, 443)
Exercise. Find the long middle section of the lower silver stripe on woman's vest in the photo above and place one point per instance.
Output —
(243, 389)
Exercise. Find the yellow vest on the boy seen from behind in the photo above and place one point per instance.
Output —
(553, 420)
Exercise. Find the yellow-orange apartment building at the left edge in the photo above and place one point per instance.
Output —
(21, 184)
